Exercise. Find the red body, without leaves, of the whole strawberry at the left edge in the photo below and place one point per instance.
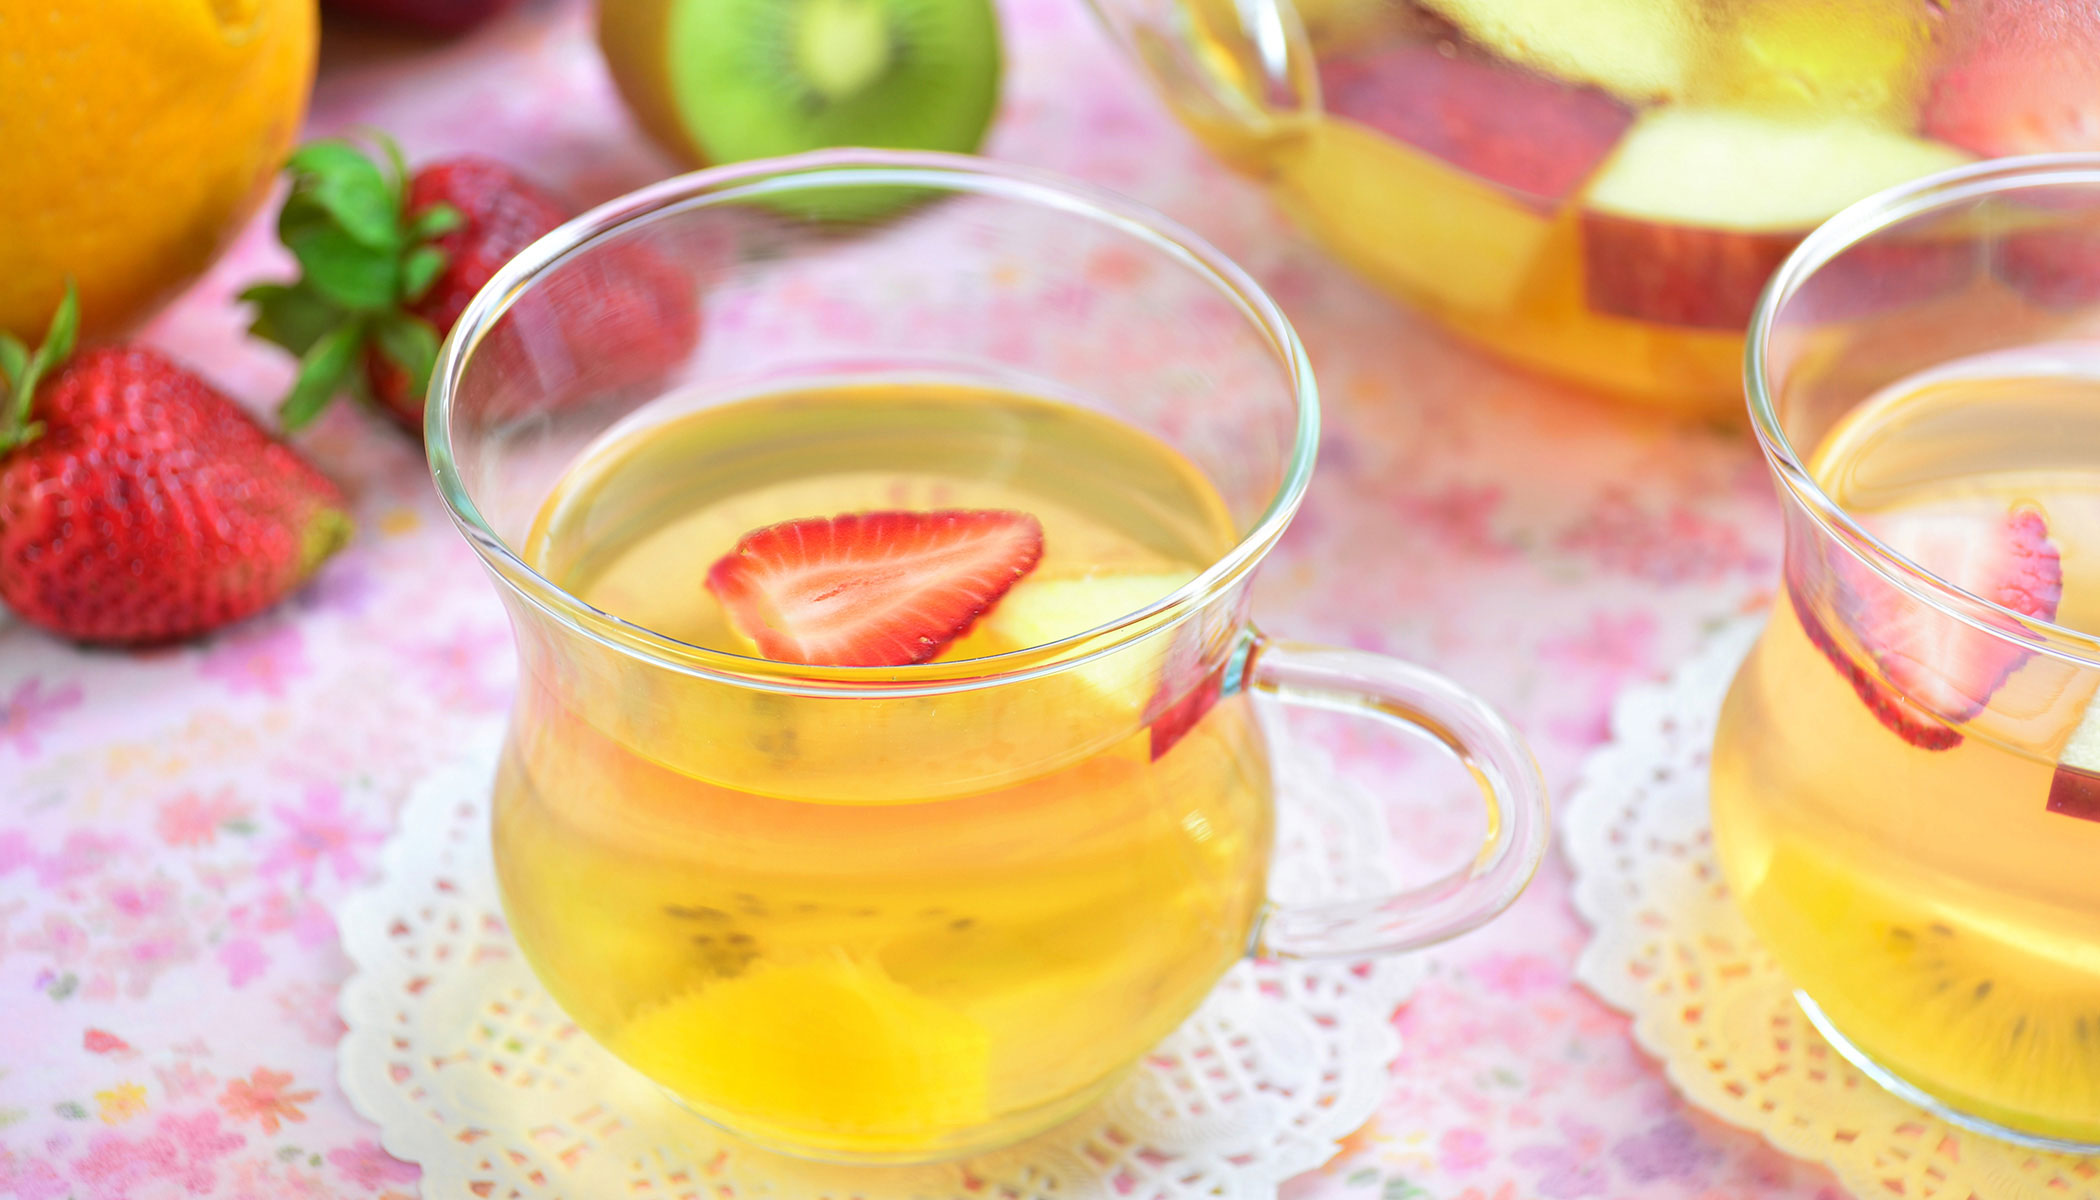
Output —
(154, 510)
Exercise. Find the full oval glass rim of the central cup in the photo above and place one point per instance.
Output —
(833, 169)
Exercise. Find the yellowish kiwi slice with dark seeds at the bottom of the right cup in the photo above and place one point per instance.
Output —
(1956, 995)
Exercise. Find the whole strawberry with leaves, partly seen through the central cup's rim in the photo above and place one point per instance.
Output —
(392, 262)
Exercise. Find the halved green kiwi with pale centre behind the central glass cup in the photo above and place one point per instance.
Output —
(730, 81)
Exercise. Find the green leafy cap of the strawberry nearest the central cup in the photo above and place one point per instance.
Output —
(364, 257)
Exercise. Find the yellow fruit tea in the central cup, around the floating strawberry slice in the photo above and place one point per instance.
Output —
(839, 930)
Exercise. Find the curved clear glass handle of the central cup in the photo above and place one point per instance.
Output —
(1484, 741)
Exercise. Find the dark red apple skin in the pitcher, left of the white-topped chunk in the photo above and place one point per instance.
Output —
(1536, 138)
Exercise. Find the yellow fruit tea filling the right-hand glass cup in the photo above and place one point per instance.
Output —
(1908, 810)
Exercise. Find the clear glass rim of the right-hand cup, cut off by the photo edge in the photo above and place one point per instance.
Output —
(1849, 228)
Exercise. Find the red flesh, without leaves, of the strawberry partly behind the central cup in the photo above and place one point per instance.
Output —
(621, 316)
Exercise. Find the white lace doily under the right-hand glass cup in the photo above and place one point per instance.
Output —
(1710, 1004)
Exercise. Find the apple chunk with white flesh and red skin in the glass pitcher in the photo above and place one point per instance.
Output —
(1702, 205)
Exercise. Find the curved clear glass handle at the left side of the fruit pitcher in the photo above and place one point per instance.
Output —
(1242, 66)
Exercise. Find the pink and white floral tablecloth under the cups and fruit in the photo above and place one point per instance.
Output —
(177, 827)
